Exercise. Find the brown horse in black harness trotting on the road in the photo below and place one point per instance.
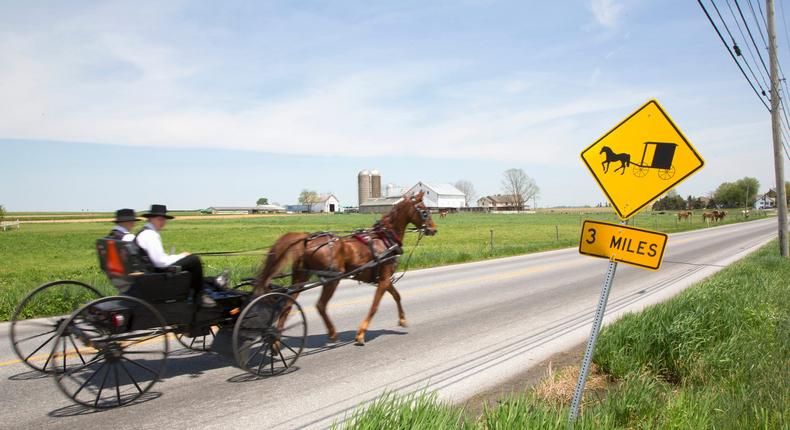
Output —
(307, 253)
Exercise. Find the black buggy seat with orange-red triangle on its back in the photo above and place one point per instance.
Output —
(133, 275)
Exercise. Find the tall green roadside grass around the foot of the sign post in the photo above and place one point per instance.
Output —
(717, 356)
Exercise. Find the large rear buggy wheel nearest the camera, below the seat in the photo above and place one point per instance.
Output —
(127, 345)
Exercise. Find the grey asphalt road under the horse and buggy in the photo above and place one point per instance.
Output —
(471, 327)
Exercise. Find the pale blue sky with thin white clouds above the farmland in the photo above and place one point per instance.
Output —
(195, 104)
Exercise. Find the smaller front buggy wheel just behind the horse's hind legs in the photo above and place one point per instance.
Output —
(259, 345)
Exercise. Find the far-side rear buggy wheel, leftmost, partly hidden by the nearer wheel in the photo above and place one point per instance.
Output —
(33, 339)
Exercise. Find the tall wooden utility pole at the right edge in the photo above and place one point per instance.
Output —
(781, 198)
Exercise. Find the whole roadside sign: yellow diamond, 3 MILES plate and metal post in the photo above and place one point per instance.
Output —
(664, 150)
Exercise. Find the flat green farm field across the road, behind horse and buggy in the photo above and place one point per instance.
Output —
(39, 253)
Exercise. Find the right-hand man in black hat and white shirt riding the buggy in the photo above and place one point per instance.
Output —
(149, 240)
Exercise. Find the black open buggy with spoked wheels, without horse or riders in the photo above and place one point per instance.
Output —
(111, 350)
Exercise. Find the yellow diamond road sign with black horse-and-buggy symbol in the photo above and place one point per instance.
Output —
(640, 159)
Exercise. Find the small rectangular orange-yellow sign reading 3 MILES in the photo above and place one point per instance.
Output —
(617, 242)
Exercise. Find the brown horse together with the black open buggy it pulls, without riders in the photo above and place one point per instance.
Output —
(111, 350)
